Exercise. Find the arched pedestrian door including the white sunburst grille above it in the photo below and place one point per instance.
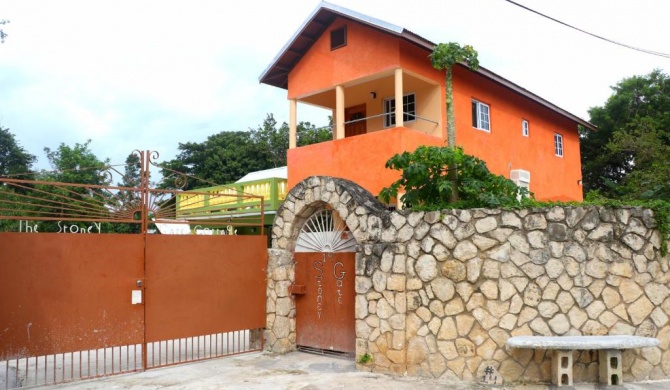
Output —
(324, 285)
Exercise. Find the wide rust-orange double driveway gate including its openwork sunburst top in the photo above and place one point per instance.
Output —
(79, 300)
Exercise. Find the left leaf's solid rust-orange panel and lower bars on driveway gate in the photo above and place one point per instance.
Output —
(65, 304)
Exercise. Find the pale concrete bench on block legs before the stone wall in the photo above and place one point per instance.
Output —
(609, 353)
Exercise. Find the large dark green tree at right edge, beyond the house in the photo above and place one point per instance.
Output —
(628, 156)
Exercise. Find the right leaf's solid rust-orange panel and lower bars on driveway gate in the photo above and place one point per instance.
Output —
(205, 296)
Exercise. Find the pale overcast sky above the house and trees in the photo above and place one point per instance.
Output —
(138, 74)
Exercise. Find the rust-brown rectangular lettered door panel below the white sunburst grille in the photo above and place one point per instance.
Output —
(325, 313)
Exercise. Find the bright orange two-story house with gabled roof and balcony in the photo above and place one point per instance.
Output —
(362, 68)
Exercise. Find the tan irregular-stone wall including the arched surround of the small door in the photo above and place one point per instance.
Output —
(439, 293)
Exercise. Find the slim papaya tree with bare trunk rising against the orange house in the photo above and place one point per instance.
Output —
(444, 57)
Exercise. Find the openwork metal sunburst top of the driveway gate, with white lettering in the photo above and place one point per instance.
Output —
(136, 202)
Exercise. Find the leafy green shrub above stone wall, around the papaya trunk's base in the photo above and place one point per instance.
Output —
(427, 185)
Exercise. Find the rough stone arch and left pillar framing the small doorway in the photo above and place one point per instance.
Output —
(364, 218)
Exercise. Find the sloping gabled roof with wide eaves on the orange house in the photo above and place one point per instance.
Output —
(276, 74)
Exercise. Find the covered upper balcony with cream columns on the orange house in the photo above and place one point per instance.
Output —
(374, 117)
